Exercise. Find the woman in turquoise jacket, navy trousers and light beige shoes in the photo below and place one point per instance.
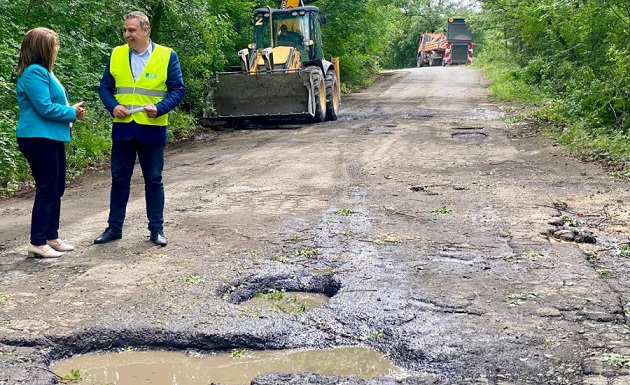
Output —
(43, 128)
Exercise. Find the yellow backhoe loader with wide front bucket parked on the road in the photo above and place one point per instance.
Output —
(283, 73)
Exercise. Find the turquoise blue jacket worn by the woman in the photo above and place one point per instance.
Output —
(44, 110)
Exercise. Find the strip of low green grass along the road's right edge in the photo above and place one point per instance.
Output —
(572, 118)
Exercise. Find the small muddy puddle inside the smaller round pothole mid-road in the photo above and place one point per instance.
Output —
(288, 302)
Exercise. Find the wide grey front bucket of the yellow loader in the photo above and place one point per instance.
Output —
(275, 94)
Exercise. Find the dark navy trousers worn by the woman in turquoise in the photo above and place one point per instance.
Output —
(47, 159)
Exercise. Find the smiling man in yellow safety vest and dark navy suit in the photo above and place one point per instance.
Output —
(141, 83)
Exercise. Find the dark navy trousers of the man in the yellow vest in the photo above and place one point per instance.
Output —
(151, 158)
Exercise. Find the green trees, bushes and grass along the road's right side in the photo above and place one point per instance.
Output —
(569, 62)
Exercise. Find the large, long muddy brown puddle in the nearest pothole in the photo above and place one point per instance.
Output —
(233, 368)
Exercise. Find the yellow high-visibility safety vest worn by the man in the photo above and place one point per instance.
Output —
(150, 87)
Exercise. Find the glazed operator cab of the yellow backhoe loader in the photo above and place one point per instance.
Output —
(295, 27)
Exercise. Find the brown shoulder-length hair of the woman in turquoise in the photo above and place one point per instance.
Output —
(39, 46)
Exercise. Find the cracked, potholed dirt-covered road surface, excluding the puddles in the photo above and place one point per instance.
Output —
(424, 213)
